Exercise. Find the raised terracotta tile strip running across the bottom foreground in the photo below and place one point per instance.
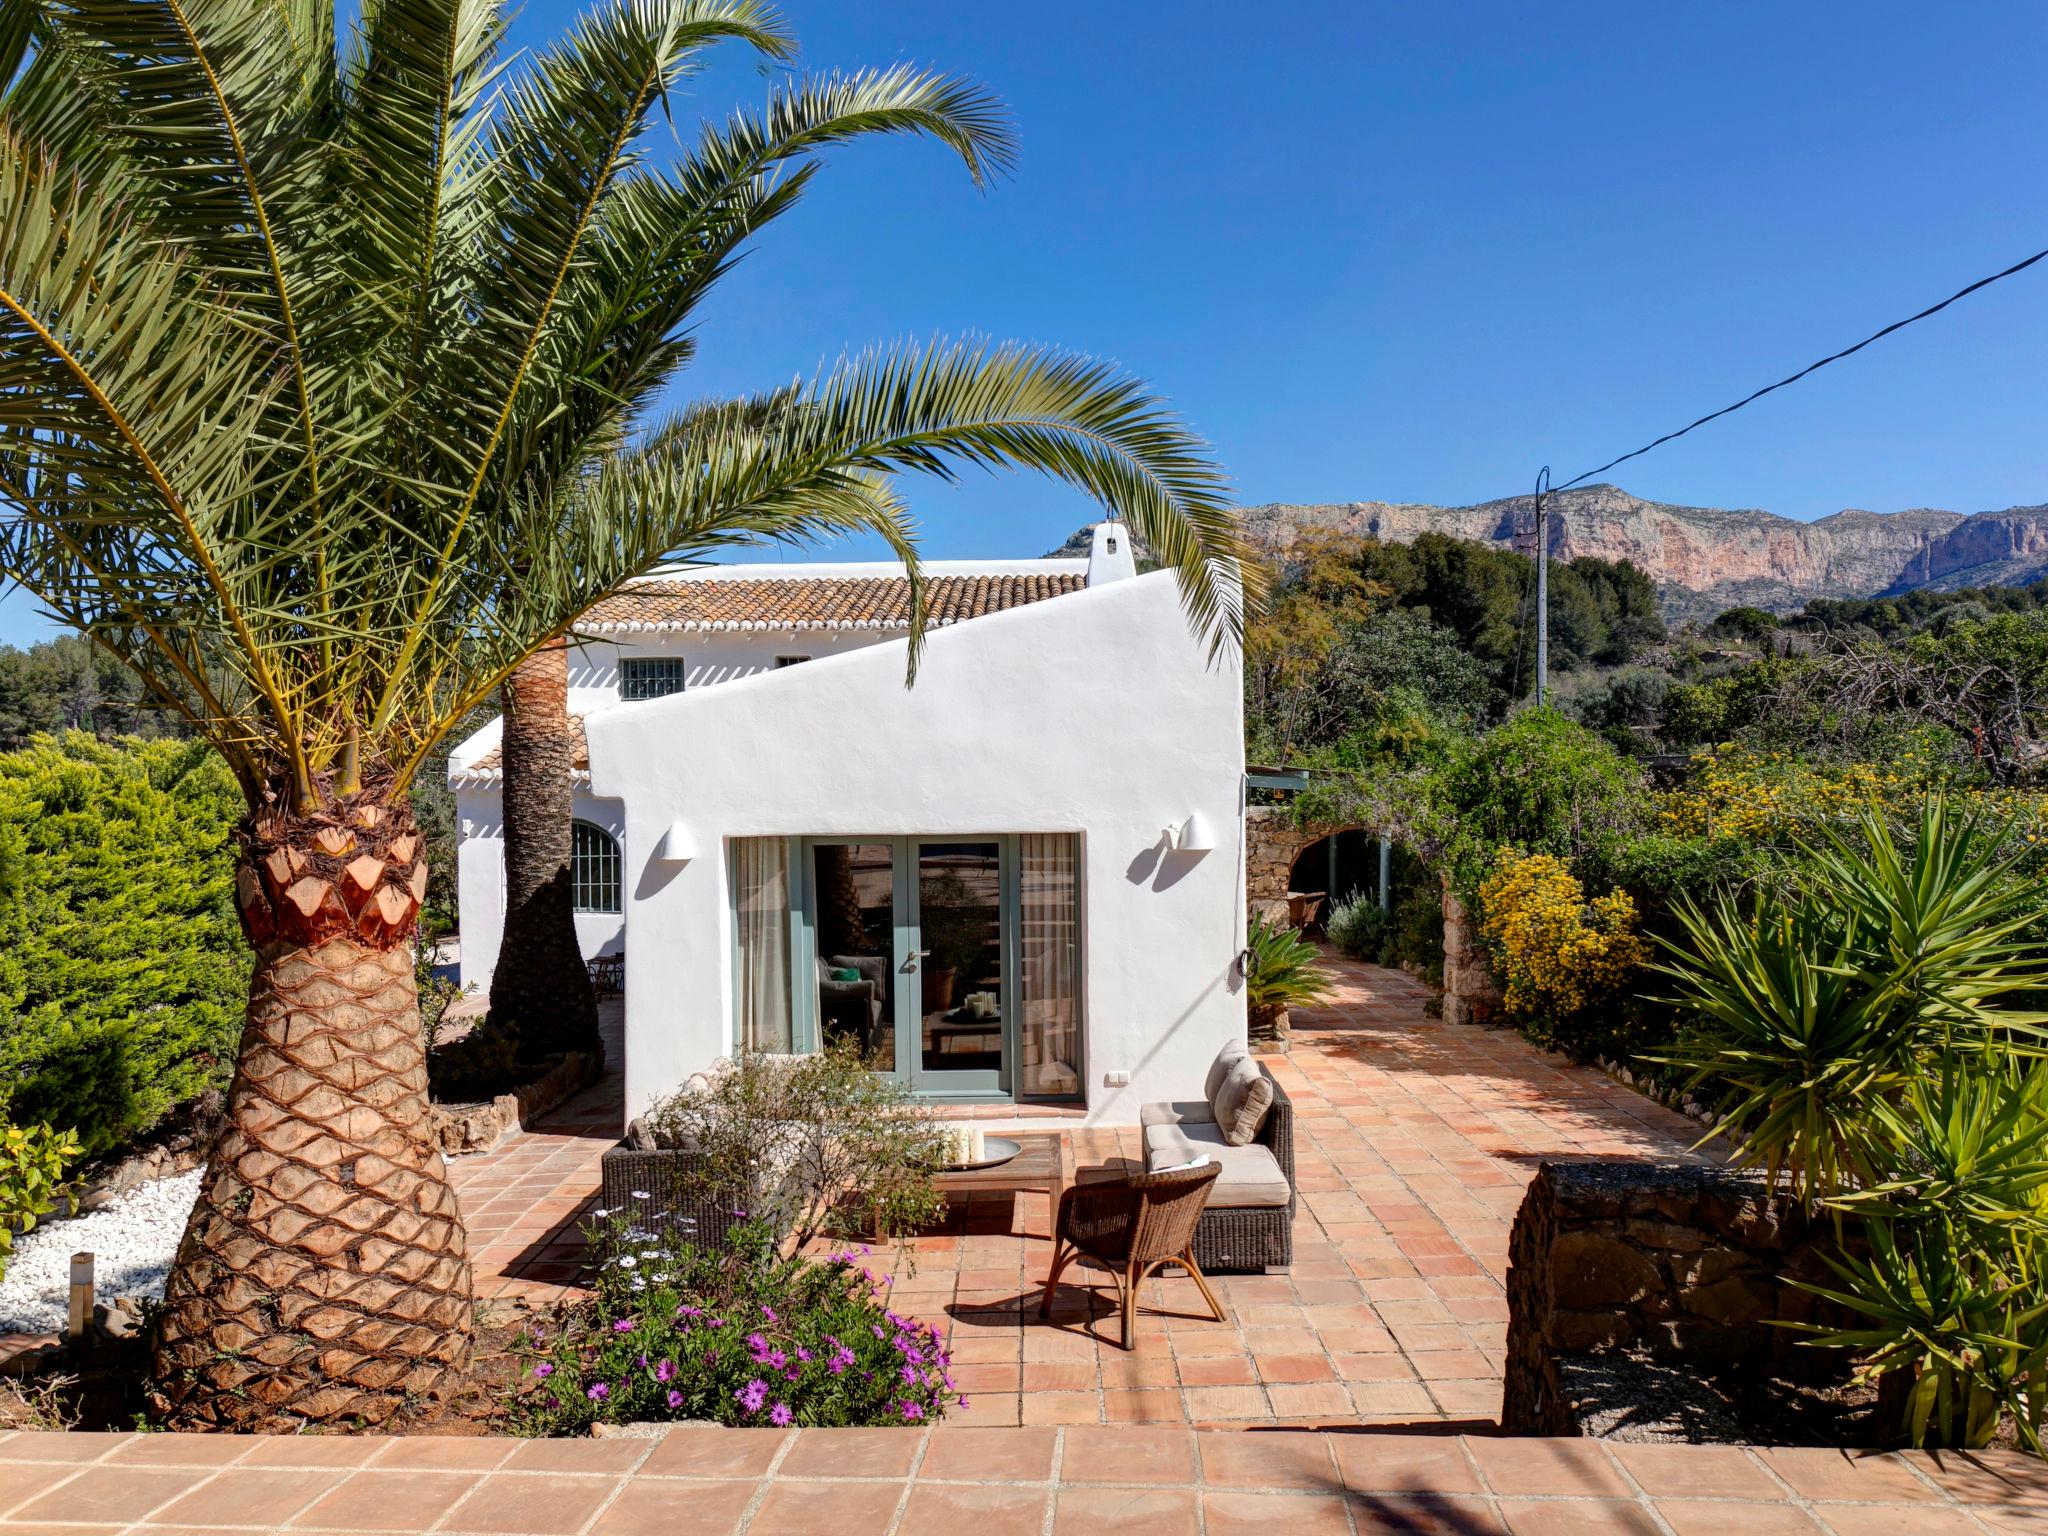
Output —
(1129, 1480)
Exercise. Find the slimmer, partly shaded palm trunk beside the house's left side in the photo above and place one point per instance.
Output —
(542, 986)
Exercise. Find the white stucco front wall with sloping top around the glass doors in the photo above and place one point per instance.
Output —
(1095, 714)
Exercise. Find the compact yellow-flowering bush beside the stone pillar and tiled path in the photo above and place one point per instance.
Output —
(1558, 953)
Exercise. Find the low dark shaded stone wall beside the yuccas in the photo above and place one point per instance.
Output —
(1684, 1263)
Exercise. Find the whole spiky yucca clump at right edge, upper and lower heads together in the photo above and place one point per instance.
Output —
(1861, 1039)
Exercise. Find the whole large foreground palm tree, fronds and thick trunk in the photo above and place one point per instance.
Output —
(325, 368)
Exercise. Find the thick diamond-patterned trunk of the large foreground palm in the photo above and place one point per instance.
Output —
(325, 1273)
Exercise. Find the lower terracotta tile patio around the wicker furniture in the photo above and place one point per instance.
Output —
(1414, 1144)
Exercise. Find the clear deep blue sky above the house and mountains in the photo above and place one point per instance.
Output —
(1416, 253)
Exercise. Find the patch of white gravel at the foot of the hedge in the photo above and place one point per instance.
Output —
(132, 1246)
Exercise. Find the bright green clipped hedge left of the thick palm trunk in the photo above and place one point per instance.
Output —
(124, 974)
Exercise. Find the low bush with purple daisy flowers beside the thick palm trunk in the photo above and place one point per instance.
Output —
(738, 1336)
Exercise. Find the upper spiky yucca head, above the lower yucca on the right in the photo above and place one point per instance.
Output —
(1811, 1011)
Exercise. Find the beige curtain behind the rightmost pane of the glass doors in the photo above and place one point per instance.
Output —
(1050, 951)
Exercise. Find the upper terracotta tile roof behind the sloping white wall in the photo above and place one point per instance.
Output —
(818, 603)
